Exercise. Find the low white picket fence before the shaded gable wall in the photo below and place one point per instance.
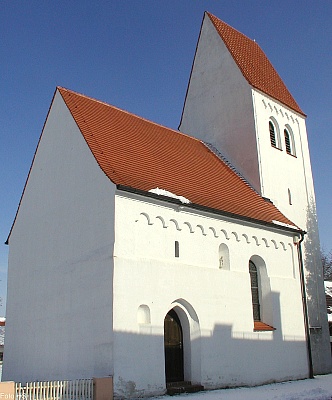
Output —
(81, 389)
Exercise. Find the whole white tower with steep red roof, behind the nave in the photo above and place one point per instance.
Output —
(237, 102)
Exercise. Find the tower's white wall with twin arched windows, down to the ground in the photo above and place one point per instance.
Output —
(279, 172)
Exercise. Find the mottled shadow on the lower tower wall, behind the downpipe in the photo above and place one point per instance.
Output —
(316, 301)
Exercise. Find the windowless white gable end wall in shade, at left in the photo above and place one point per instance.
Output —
(59, 307)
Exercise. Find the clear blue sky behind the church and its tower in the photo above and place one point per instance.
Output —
(137, 55)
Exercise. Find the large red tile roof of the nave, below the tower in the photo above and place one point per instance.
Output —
(140, 154)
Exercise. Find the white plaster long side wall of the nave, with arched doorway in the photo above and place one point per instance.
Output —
(146, 272)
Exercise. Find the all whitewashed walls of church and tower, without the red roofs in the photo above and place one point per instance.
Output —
(94, 268)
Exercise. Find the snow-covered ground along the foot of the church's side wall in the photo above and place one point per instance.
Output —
(319, 388)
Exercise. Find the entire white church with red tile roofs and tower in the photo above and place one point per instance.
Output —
(168, 258)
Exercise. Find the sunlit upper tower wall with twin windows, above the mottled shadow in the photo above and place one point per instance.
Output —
(280, 171)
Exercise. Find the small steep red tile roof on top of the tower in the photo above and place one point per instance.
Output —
(254, 64)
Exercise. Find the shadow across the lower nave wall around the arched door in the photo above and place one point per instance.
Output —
(217, 358)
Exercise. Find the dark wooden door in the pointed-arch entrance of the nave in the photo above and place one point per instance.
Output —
(173, 342)
